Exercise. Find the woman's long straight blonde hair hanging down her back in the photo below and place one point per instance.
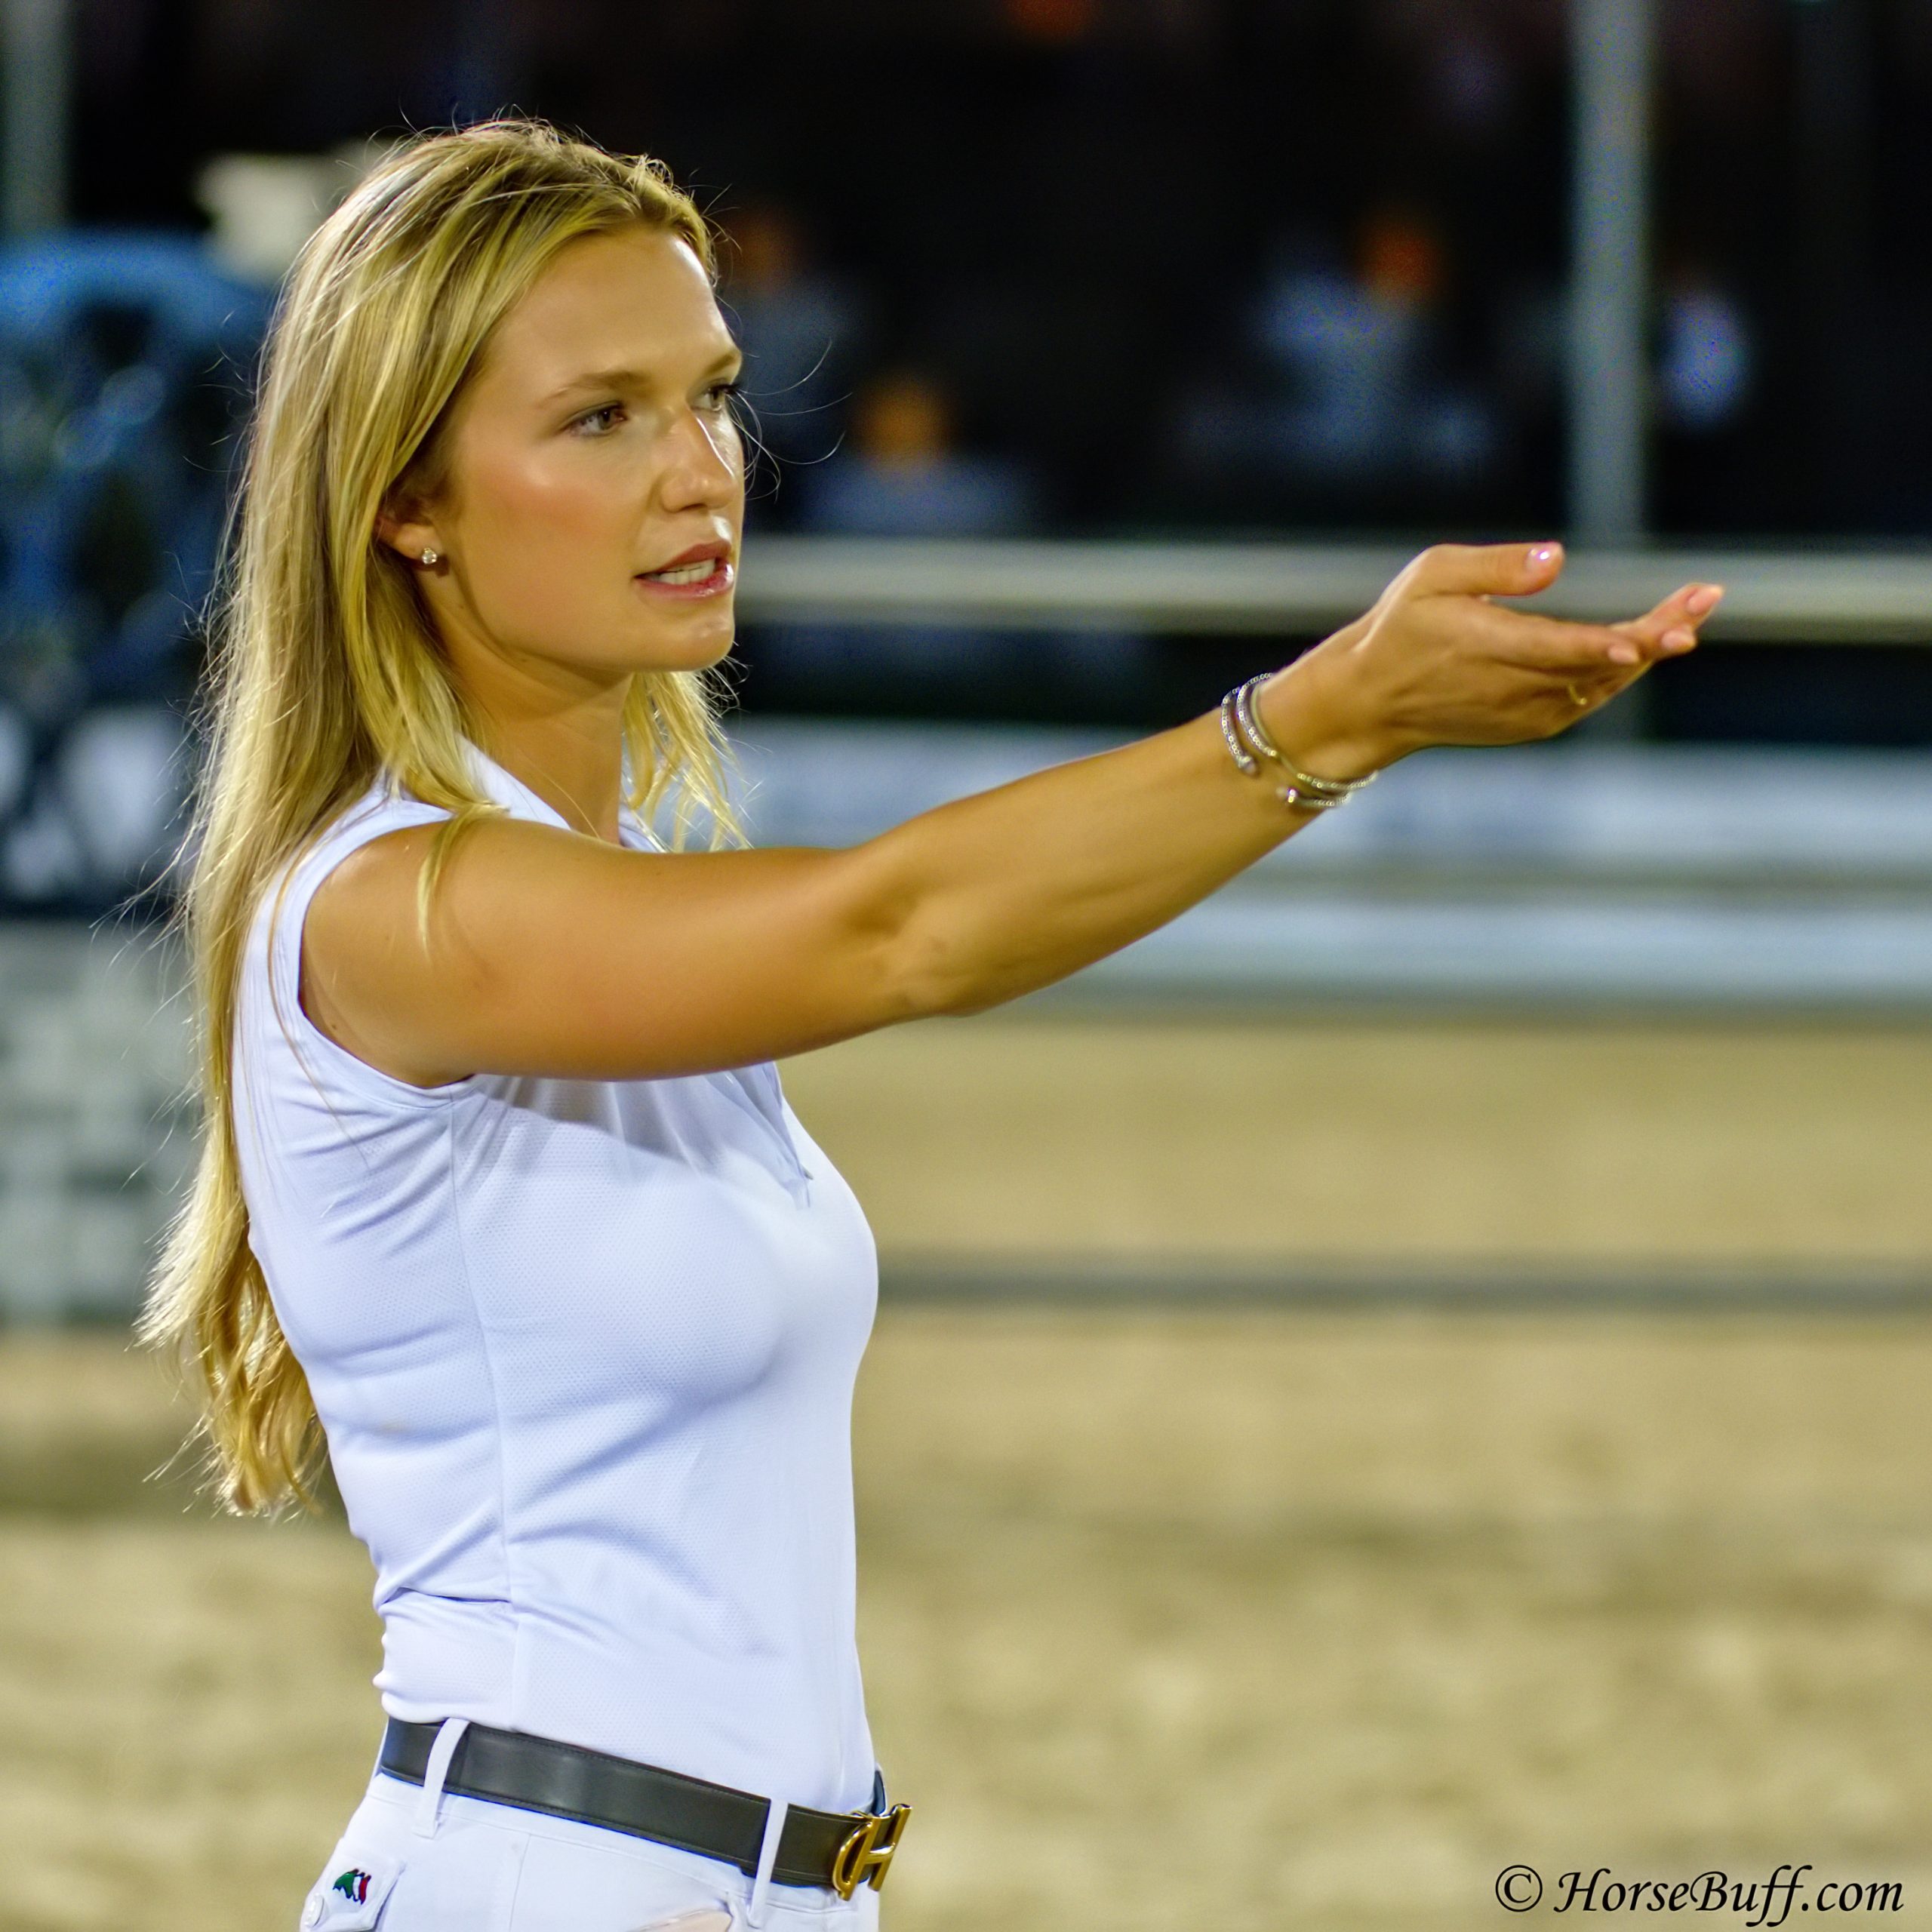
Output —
(327, 671)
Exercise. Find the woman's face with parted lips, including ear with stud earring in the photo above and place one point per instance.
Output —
(594, 482)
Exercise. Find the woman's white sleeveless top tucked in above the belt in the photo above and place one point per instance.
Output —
(584, 1353)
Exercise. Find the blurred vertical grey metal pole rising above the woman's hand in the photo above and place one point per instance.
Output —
(1610, 277)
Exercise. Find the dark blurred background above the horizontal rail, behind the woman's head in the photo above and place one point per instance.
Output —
(1183, 264)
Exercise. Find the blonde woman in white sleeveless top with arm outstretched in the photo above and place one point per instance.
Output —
(499, 1191)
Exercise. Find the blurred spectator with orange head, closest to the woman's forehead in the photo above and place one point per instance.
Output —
(801, 329)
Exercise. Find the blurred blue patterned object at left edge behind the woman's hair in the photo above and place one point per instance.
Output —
(125, 362)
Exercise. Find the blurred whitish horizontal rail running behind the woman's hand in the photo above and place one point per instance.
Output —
(1303, 588)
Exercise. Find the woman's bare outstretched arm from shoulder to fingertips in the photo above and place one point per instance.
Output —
(552, 953)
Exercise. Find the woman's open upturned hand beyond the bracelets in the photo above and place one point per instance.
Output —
(1438, 664)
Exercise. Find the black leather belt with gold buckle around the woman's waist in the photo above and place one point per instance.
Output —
(834, 1850)
